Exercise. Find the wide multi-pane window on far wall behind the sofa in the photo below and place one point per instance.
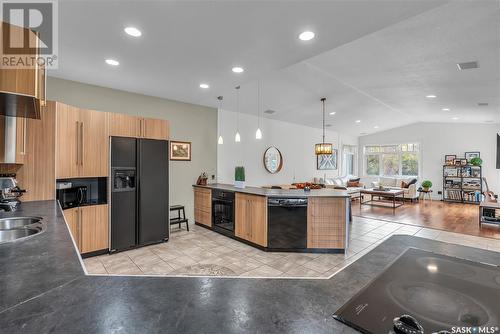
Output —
(392, 160)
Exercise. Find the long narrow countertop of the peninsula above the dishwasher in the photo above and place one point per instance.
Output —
(278, 192)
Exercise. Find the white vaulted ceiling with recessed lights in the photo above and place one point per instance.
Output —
(373, 60)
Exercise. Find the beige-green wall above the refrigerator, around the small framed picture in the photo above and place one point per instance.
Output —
(188, 122)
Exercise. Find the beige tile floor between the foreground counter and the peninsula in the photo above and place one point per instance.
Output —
(202, 252)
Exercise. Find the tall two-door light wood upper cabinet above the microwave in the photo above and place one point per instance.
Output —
(82, 142)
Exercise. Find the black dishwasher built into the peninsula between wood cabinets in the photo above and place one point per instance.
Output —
(287, 223)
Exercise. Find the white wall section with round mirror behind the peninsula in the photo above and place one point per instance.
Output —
(296, 143)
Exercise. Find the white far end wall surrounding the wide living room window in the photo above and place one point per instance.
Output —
(439, 139)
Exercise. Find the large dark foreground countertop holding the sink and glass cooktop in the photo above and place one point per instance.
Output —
(44, 289)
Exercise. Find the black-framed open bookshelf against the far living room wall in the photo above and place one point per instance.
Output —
(462, 184)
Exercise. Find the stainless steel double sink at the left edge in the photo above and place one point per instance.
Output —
(16, 228)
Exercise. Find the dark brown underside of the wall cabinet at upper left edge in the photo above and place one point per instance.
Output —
(17, 105)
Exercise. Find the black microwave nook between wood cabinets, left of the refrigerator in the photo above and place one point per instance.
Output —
(80, 192)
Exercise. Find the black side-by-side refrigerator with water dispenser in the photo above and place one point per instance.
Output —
(139, 192)
